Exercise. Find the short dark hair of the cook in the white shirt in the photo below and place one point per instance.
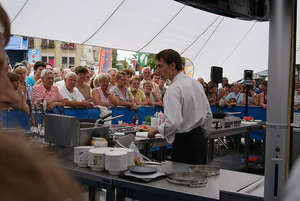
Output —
(170, 56)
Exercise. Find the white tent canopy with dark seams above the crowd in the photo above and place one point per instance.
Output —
(148, 26)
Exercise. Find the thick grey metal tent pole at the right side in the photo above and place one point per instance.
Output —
(280, 69)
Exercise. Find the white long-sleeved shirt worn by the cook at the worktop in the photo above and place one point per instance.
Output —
(186, 107)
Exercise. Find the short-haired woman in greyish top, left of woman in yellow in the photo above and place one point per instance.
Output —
(121, 91)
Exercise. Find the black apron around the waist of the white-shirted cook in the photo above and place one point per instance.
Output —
(190, 147)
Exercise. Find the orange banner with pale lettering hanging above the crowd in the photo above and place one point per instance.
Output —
(105, 60)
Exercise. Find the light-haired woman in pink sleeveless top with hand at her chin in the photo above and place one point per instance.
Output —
(101, 94)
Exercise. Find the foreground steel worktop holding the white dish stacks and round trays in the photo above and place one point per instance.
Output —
(160, 188)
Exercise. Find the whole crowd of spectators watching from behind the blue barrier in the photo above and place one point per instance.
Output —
(80, 86)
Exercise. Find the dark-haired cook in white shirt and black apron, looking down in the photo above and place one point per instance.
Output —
(187, 111)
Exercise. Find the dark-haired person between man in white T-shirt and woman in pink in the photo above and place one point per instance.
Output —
(83, 87)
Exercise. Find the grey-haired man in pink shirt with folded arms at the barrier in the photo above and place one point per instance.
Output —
(46, 91)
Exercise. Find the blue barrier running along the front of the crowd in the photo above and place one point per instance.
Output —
(19, 119)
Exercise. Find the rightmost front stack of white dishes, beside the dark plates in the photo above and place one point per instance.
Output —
(116, 161)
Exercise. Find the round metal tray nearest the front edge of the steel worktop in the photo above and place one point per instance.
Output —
(191, 179)
